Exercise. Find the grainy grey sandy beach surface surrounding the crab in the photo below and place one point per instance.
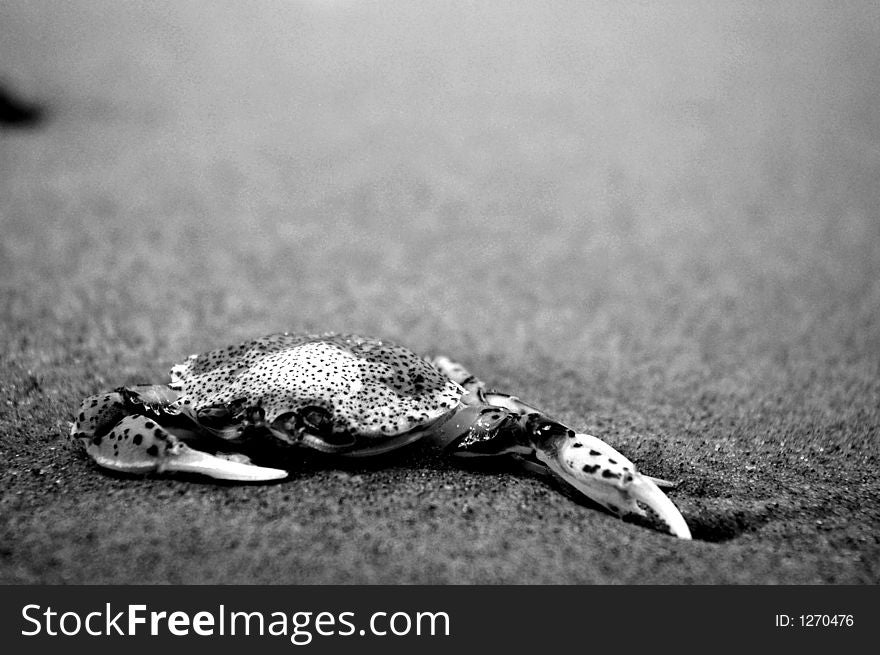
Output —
(659, 223)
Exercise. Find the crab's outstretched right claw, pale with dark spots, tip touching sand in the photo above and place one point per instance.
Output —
(606, 477)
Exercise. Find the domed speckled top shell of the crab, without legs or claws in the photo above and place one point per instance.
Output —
(372, 388)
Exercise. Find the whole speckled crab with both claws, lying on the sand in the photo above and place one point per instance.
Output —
(348, 396)
